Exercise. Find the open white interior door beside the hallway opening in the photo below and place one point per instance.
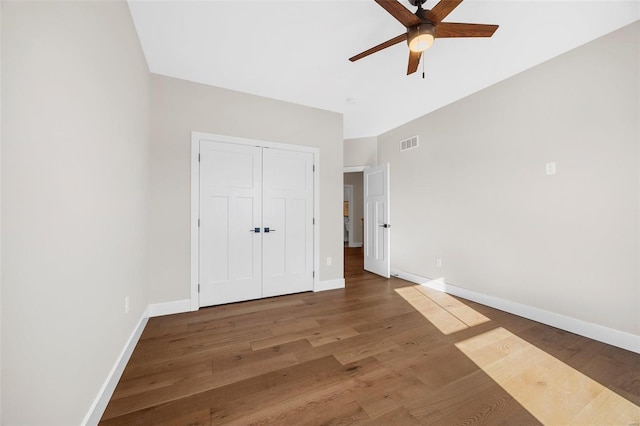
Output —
(376, 220)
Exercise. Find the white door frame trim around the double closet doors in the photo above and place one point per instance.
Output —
(196, 137)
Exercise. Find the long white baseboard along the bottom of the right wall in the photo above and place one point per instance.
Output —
(597, 332)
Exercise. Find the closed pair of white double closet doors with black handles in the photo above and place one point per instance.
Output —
(256, 234)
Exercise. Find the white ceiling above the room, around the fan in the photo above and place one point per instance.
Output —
(298, 50)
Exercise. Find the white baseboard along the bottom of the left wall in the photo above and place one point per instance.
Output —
(106, 391)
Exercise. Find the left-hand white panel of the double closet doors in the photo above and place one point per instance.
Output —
(230, 215)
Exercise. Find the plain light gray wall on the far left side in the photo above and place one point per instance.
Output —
(75, 141)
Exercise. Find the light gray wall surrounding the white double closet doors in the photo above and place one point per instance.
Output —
(180, 107)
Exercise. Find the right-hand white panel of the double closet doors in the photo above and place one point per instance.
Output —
(287, 217)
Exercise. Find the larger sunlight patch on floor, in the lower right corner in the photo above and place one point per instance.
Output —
(549, 389)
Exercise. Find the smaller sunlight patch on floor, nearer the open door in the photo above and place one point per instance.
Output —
(448, 314)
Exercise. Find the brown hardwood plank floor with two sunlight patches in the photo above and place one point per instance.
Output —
(377, 352)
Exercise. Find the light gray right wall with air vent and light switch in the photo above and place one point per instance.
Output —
(476, 194)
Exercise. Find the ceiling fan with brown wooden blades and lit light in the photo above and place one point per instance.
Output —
(424, 26)
